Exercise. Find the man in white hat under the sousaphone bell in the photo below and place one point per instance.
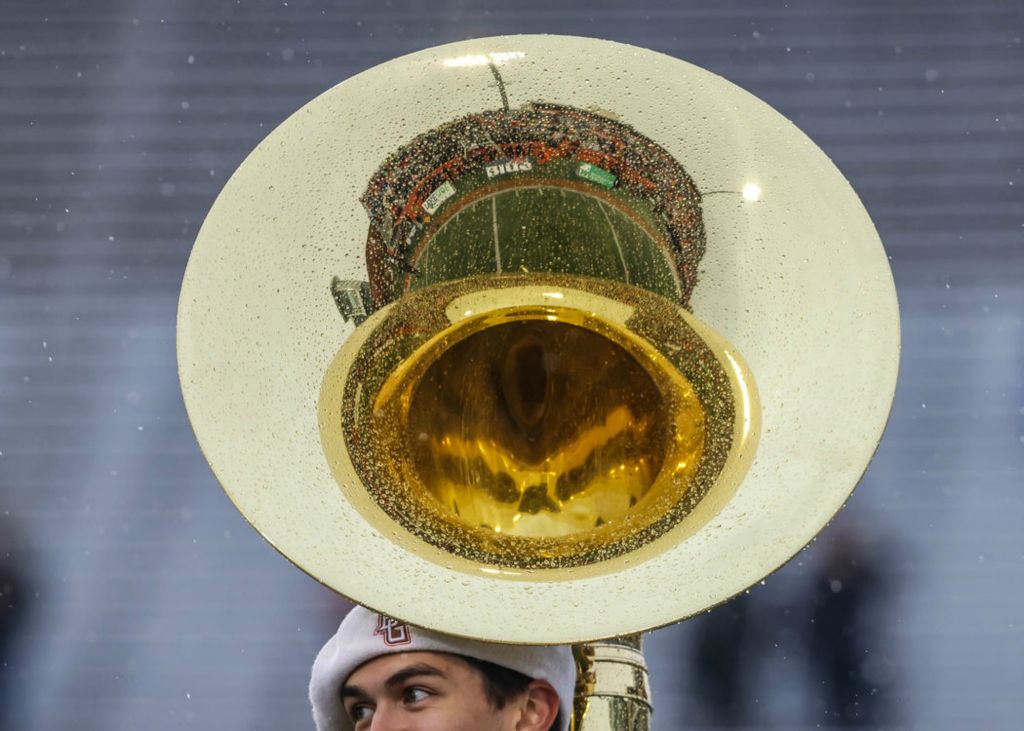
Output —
(379, 674)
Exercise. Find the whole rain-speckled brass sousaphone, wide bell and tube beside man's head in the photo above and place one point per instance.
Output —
(539, 339)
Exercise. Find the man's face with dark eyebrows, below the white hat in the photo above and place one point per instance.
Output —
(430, 692)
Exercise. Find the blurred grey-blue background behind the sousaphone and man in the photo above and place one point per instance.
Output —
(135, 596)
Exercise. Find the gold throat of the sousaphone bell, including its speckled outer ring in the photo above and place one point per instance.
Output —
(529, 422)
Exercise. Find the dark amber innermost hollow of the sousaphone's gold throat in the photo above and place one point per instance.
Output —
(545, 428)
